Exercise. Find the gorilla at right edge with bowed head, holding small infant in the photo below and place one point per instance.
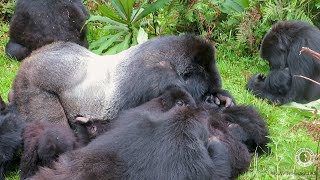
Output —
(281, 47)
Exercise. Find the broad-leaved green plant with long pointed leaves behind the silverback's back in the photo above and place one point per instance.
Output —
(122, 19)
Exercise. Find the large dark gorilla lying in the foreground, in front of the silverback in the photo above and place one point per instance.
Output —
(168, 137)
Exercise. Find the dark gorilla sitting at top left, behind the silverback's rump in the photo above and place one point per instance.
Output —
(39, 22)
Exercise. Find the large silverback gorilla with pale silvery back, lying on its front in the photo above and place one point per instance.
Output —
(79, 83)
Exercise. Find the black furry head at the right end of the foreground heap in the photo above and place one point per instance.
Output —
(244, 123)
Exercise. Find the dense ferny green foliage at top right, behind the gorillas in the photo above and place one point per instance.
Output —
(241, 21)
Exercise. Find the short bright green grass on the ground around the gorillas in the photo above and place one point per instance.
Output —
(280, 164)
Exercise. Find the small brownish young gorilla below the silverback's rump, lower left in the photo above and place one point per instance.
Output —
(43, 143)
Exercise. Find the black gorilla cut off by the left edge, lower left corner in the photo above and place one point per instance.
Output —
(11, 126)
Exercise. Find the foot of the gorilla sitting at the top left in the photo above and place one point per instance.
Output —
(16, 50)
